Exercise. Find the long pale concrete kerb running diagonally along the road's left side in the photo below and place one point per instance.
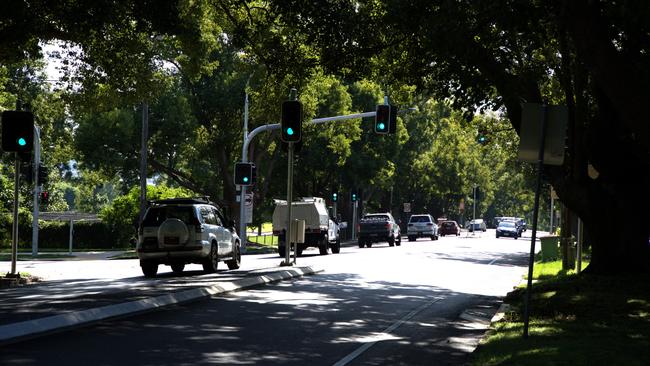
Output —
(11, 333)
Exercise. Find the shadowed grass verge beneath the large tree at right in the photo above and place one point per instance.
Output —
(574, 320)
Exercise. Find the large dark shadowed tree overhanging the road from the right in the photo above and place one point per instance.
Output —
(589, 55)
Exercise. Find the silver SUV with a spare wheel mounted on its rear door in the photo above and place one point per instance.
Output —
(179, 231)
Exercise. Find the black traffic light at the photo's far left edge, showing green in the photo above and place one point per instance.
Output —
(17, 132)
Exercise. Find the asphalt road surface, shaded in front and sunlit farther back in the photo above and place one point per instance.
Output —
(421, 303)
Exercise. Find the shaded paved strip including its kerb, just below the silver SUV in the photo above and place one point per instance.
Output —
(51, 306)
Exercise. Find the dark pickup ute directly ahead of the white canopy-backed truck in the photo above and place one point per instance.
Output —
(374, 228)
